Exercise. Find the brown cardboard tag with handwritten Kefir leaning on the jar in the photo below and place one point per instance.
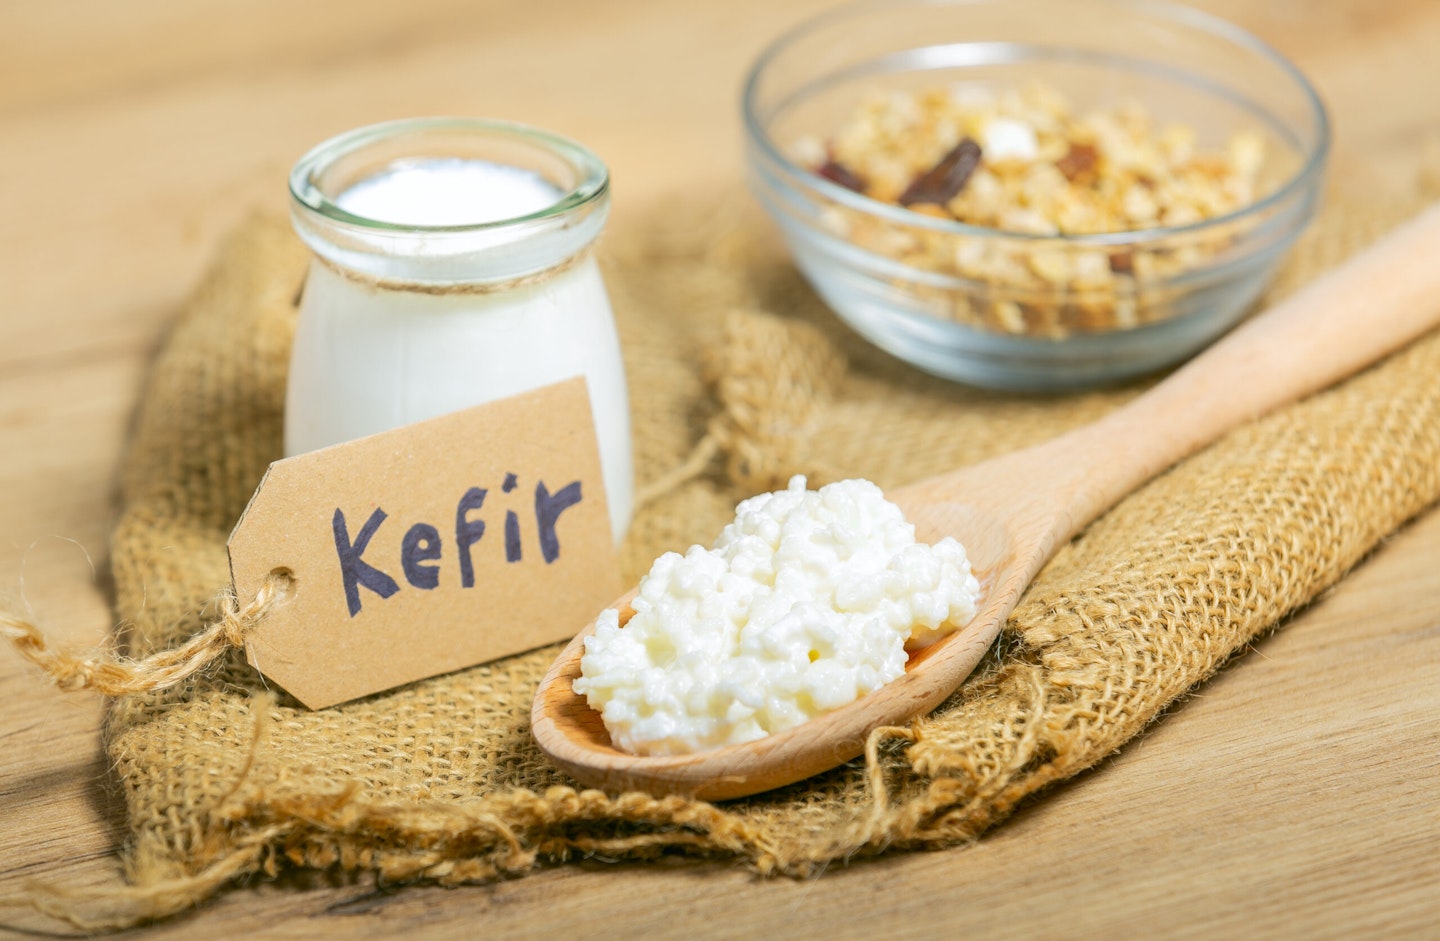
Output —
(430, 548)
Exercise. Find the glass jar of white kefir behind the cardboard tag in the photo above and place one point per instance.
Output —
(424, 311)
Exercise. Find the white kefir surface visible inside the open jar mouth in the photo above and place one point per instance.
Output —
(449, 192)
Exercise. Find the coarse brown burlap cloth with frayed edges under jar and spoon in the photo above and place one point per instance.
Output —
(739, 380)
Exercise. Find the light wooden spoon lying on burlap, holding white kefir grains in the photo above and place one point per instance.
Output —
(1014, 512)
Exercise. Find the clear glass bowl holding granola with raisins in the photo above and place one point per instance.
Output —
(1163, 293)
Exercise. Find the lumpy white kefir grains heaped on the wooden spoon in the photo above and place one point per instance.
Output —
(807, 602)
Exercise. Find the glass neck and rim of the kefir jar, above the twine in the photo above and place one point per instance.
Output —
(486, 256)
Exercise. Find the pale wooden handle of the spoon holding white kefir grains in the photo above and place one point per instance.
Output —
(1343, 322)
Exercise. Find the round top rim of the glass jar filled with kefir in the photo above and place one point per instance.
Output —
(591, 187)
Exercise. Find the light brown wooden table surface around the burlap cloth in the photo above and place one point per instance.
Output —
(1294, 796)
